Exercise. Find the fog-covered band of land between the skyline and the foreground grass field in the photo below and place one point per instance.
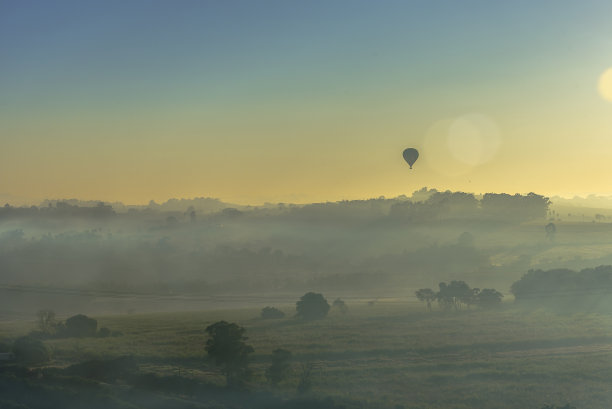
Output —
(193, 252)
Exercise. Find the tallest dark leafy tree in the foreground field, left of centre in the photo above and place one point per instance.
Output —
(227, 348)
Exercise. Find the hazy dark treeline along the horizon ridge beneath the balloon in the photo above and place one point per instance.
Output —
(424, 205)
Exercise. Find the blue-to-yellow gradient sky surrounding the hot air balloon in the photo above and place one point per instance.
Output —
(291, 101)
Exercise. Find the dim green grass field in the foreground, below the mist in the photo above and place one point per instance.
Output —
(389, 355)
